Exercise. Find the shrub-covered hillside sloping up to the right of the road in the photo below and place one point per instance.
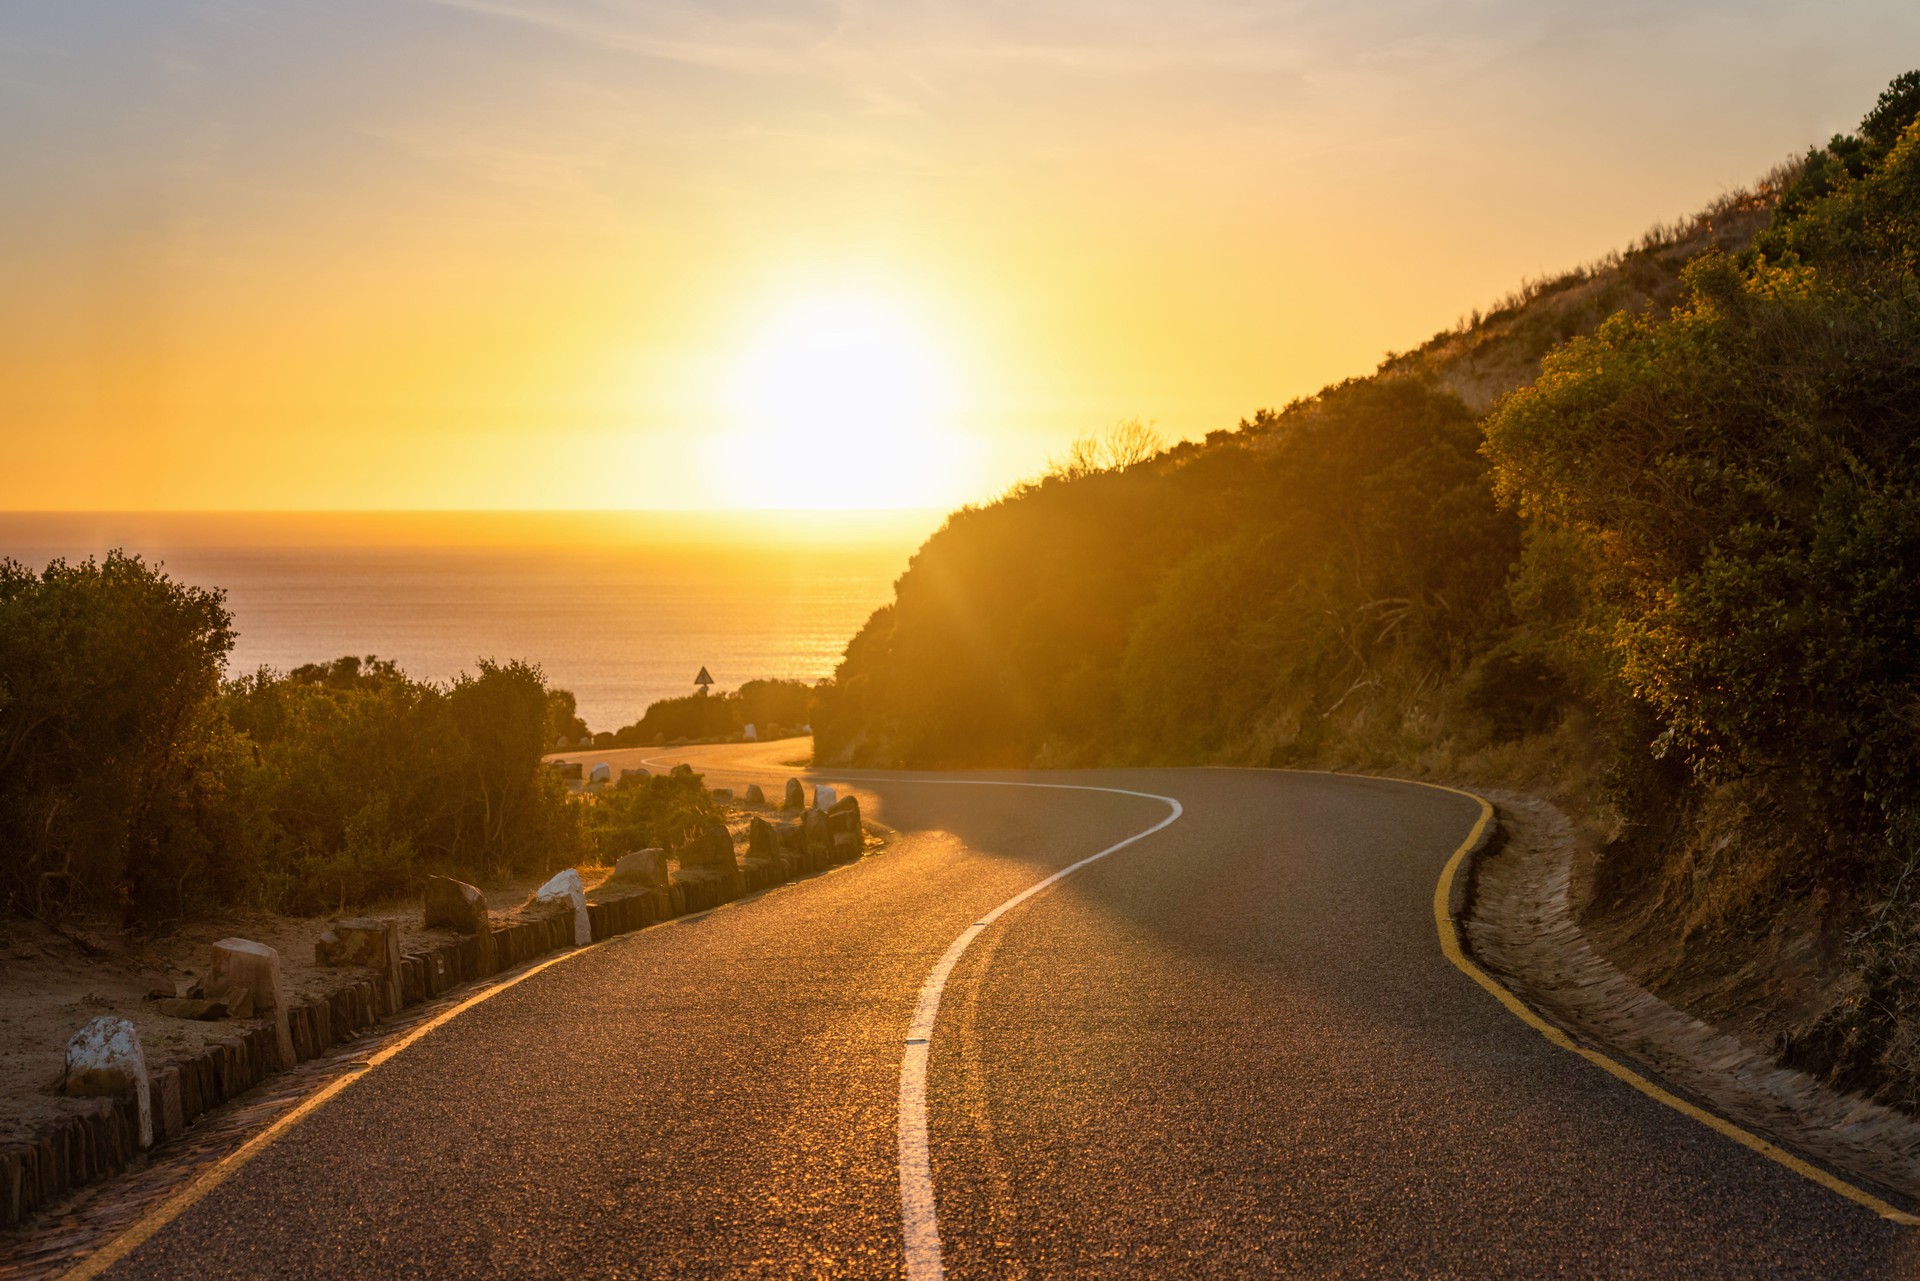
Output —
(1639, 539)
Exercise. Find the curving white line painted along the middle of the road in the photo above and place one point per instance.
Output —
(919, 1224)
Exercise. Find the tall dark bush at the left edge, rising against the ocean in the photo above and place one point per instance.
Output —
(114, 761)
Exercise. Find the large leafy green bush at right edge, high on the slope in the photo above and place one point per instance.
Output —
(1744, 479)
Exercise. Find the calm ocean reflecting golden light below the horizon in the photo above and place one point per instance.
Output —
(619, 608)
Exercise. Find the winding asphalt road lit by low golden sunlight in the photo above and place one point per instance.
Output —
(1228, 1050)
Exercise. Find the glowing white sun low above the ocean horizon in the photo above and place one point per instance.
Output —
(842, 402)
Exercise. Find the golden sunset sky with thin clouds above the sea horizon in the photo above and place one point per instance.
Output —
(598, 254)
